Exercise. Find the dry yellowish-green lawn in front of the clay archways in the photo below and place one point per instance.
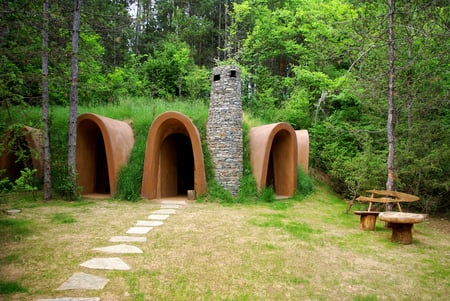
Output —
(287, 250)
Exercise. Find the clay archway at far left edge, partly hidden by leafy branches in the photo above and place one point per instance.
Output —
(31, 146)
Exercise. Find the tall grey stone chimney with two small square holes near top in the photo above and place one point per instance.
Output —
(224, 129)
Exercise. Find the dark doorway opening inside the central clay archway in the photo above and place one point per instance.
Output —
(176, 166)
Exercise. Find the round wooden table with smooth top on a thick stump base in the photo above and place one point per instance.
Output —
(401, 224)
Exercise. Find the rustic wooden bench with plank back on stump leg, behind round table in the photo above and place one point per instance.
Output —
(368, 218)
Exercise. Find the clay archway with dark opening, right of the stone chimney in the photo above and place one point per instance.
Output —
(273, 156)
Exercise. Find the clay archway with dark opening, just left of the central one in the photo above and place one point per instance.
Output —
(103, 147)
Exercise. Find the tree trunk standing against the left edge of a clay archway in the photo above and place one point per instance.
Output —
(73, 113)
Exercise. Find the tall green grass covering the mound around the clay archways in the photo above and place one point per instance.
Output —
(140, 112)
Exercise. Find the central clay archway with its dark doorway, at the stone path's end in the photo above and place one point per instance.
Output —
(173, 158)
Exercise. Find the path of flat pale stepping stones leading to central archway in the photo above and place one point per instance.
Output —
(84, 281)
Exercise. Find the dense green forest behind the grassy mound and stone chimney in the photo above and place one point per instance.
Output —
(318, 65)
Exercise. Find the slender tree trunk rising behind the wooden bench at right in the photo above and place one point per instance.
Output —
(390, 184)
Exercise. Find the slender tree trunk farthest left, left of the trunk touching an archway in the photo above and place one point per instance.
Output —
(45, 105)
